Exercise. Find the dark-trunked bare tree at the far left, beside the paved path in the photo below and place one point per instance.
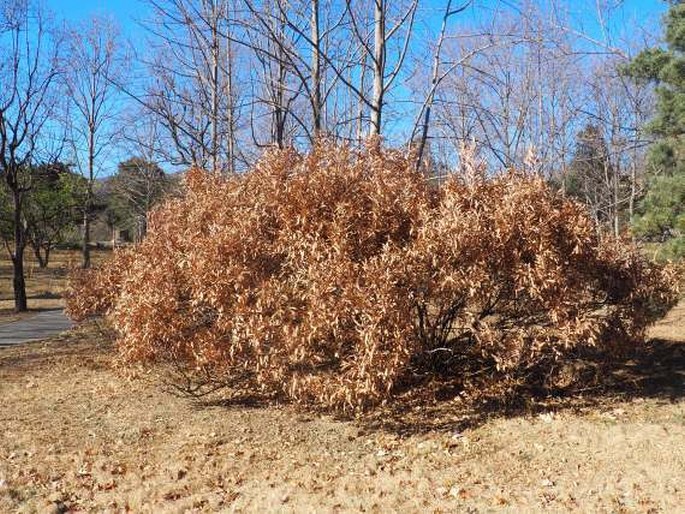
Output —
(28, 72)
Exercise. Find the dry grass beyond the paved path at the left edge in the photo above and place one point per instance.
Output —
(44, 287)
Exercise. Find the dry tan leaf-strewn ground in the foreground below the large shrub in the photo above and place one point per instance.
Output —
(78, 437)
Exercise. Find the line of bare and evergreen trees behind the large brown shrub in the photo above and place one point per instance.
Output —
(215, 82)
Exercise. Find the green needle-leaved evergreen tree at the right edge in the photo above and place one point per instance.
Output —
(661, 213)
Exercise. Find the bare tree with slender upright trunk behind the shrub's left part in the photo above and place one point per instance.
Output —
(191, 91)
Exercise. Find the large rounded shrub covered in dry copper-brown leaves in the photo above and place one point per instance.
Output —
(331, 278)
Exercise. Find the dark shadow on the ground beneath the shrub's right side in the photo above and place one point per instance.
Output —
(655, 371)
